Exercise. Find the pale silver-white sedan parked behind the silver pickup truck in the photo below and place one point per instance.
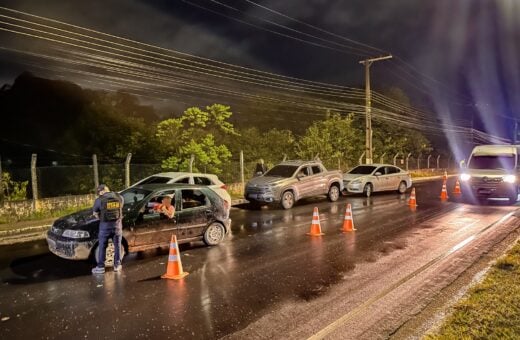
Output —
(371, 178)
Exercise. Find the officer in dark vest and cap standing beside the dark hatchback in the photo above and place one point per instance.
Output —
(108, 208)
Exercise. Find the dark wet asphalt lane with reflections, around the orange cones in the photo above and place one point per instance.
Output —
(267, 262)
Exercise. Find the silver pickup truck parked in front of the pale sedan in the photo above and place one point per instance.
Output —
(291, 181)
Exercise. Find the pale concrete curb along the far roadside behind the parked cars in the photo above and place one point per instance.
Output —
(32, 233)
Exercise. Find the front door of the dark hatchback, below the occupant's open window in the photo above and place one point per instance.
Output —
(151, 227)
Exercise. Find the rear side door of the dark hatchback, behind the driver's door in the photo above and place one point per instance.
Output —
(194, 214)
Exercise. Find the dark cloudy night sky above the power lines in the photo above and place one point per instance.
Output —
(458, 59)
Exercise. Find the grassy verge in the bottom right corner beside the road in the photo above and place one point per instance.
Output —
(491, 309)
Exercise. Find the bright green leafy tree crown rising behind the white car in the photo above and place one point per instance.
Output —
(198, 133)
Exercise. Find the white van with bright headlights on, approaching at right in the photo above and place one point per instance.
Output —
(492, 171)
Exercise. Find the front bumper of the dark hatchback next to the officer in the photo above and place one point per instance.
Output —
(67, 248)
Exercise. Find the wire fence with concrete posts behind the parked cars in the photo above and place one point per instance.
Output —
(55, 181)
